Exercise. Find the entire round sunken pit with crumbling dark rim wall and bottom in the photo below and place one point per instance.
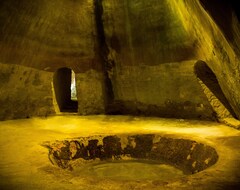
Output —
(131, 157)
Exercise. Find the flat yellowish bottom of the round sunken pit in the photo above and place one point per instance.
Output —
(132, 170)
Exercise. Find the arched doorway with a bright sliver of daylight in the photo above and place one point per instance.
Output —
(65, 90)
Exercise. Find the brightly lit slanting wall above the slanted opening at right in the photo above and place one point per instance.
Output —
(216, 46)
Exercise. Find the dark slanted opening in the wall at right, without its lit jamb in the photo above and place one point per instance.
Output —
(206, 75)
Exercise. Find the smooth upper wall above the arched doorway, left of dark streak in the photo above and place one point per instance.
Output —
(48, 34)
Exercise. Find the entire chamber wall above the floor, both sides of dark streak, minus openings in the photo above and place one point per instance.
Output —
(130, 57)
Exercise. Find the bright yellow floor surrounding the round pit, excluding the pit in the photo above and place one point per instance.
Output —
(24, 161)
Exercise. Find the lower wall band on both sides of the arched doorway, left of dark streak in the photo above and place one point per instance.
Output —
(27, 92)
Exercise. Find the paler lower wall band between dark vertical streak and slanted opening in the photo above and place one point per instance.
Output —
(169, 90)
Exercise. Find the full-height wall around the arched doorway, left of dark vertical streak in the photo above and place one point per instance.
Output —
(36, 39)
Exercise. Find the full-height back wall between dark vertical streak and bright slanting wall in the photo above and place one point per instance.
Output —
(150, 61)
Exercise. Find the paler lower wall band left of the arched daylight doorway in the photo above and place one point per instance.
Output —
(24, 92)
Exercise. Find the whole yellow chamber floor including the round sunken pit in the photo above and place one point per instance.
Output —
(118, 152)
